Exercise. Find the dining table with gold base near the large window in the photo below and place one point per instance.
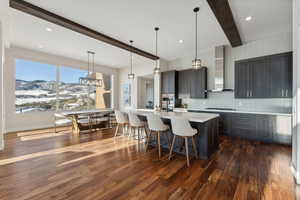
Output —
(87, 114)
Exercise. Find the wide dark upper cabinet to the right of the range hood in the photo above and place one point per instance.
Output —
(264, 77)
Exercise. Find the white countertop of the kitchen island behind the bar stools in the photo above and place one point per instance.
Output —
(192, 117)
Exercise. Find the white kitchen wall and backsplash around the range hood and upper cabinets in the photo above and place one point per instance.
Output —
(272, 45)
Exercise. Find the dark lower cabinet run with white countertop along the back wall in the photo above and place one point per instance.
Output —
(259, 127)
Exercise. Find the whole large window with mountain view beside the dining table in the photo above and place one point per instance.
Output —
(40, 88)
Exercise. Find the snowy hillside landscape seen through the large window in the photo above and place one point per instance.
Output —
(40, 95)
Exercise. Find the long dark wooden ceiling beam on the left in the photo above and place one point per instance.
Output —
(61, 21)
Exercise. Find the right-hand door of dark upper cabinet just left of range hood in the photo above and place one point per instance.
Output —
(198, 84)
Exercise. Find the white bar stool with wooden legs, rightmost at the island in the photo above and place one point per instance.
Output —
(181, 127)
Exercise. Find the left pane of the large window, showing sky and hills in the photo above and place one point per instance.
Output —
(35, 86)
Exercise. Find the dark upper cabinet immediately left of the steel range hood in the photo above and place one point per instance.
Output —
(193, 83)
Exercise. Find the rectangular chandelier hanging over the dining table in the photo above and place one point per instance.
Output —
(90, 79)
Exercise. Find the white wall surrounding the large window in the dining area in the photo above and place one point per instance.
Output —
(27, 121)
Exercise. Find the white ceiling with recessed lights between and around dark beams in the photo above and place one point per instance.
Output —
(136, 19)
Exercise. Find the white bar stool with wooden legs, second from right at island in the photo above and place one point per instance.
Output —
(157, 126)
